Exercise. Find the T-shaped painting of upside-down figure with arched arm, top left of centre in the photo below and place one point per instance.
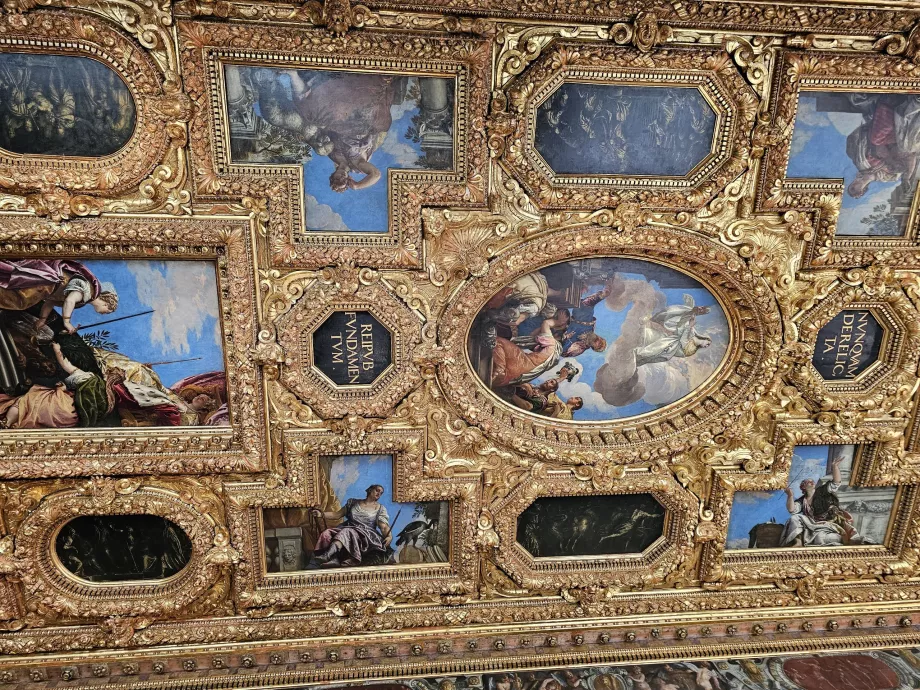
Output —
(347, 130)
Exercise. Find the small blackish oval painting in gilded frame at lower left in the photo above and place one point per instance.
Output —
(113, 548)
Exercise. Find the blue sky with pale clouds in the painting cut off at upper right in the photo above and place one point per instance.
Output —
(819, 151)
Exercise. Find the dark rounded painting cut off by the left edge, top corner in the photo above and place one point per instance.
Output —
(62, 105)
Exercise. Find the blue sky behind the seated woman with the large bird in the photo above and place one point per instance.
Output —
(350, 475)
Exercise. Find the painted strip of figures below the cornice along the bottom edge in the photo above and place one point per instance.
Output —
(884, 670)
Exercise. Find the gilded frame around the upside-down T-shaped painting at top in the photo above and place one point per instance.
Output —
(203, 46)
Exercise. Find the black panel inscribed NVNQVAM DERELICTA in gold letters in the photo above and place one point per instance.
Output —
(848, 345)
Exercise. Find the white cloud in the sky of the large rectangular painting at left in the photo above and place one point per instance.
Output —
(183, 295)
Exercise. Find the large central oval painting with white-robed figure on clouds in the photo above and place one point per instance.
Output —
(598, 339)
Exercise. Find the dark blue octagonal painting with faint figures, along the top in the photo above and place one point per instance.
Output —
(611, 129)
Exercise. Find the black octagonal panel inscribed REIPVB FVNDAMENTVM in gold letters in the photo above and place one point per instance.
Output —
(352, 348)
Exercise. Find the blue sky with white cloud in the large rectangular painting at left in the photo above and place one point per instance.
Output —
(184, 324)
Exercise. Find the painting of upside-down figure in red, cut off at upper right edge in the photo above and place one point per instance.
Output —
(871, 142)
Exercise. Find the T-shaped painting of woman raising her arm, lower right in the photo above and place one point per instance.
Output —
(817, 508)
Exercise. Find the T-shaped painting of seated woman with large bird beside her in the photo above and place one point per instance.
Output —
(356, 522)
